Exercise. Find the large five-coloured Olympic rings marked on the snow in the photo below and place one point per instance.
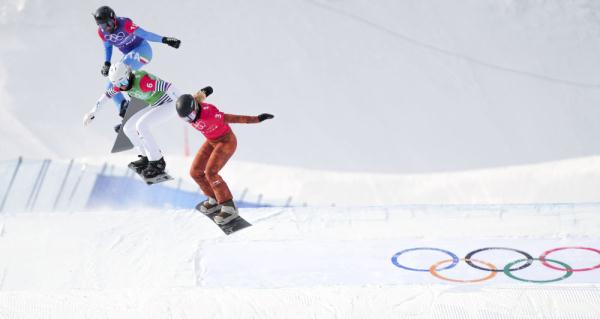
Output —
(492, 269)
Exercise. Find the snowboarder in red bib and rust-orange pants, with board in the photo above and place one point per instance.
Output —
(218, 148)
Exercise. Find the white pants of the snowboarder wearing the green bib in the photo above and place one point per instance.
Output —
(137, 127)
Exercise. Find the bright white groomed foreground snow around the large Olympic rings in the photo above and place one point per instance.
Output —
(296, 263)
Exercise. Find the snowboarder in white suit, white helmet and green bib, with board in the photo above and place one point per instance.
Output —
(160, 97)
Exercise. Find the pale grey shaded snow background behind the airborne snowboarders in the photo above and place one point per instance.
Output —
(378, 86)
